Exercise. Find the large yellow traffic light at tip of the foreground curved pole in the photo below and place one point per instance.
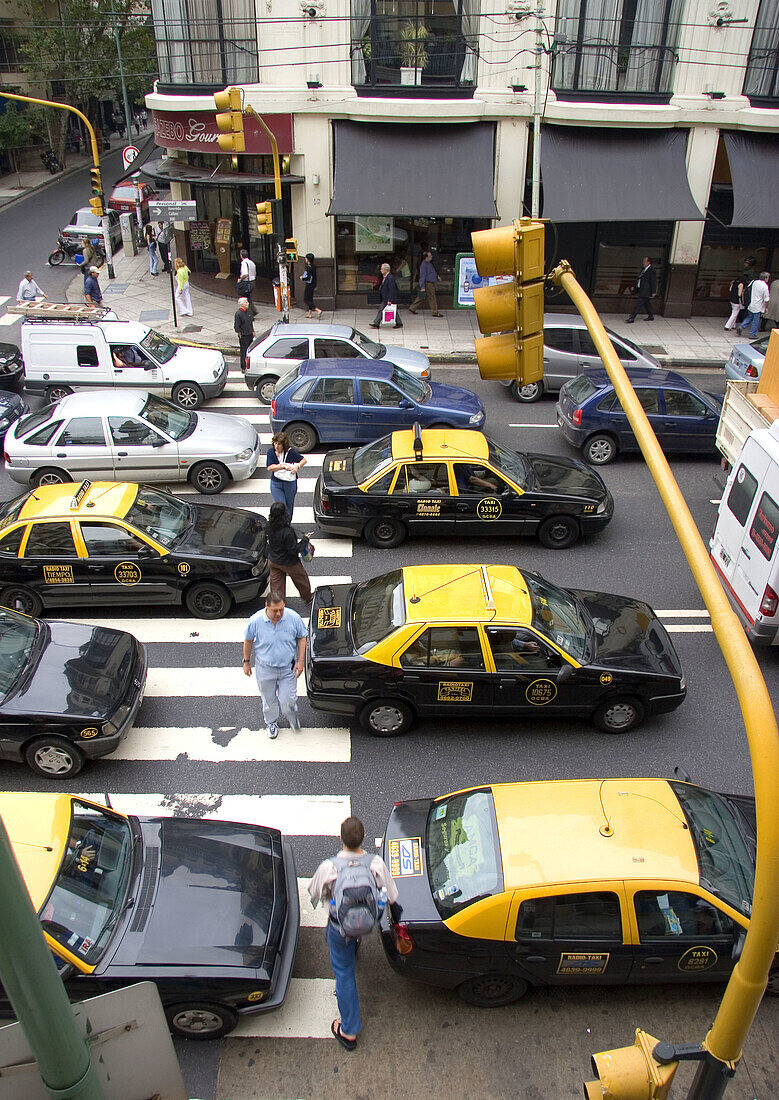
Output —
(513, 309)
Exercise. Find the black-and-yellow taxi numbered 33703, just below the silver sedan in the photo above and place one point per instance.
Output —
(123, 544)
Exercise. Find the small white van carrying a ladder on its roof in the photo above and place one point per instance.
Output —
(61, 357)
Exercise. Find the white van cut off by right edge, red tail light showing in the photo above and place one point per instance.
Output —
(744, 545)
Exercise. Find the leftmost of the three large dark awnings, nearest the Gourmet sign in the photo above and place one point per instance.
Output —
(415, 171)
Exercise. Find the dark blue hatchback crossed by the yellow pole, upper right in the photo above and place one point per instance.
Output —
(590, 416)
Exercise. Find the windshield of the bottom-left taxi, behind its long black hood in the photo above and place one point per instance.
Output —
(89, 894)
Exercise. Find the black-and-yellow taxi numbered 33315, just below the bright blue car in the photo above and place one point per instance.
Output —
(446, 481)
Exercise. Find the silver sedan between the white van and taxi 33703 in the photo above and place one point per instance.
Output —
(130, 436)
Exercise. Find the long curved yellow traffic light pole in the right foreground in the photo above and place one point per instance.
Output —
(726, 1040)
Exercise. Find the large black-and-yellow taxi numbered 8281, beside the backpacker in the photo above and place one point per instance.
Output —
(580, 883)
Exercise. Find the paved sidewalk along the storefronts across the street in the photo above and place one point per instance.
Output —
(136, 295)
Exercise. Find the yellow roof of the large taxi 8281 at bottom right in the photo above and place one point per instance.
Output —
(578, 831)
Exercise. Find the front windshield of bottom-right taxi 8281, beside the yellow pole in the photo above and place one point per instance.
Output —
(726, 863)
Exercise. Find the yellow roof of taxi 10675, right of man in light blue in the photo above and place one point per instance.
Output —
(466, 593)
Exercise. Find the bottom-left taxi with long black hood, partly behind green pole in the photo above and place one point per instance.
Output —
(207, 910)
